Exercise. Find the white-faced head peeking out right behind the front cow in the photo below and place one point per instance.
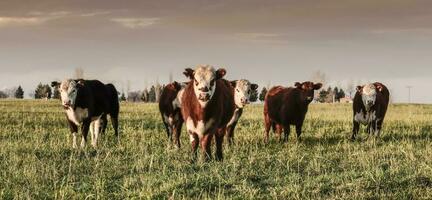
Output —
(242, 91)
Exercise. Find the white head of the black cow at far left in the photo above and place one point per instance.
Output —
(68, 91)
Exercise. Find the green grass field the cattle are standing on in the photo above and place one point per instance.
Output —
(37, 160)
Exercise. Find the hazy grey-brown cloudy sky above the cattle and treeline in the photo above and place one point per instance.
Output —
(271, 42)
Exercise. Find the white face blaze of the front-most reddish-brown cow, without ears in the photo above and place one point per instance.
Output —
(204, 84)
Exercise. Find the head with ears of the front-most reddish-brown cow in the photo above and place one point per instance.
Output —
(204, 81)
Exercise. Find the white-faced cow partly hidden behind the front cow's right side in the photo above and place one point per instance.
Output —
(241, 90)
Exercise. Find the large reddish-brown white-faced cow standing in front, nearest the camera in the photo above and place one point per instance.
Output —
(207, 106)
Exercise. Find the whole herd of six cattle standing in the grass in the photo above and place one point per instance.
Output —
(211, 106)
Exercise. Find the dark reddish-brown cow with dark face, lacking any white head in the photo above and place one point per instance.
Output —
(287, 106)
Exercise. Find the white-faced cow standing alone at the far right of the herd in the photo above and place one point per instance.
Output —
(369, 108)
